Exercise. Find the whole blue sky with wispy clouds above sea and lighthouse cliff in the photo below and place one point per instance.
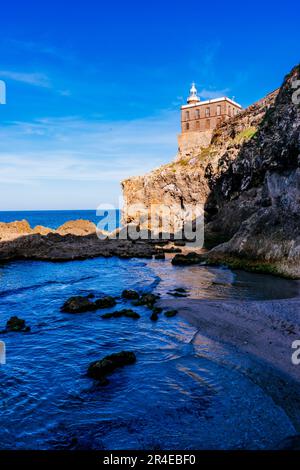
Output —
(94, 88)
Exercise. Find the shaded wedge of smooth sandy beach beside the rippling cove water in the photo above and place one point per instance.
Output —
(264, 329)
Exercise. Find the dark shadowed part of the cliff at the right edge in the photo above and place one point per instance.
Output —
(257, 194)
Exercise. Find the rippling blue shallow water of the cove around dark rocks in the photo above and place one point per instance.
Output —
(184, 392)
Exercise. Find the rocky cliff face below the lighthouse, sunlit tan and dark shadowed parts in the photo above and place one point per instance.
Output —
(248, 180)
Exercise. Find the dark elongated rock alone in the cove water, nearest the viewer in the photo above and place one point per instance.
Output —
(100, 369)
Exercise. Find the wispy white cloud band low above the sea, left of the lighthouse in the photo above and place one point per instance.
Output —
(50, 155)
